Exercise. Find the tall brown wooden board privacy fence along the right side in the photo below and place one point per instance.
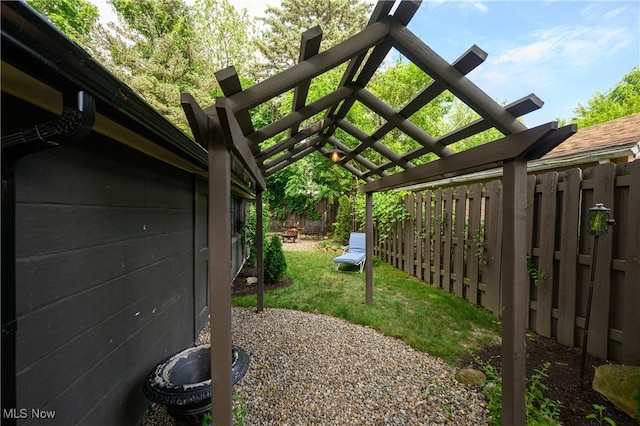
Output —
(452, 240)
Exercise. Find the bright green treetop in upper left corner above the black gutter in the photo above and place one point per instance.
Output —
(75, 18)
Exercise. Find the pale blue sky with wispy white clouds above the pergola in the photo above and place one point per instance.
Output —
(563, 51)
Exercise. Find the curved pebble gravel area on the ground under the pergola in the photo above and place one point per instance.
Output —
(308, 369)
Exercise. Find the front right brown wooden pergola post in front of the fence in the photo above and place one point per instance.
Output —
(513, 288)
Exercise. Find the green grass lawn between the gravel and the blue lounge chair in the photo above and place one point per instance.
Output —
(428, 319)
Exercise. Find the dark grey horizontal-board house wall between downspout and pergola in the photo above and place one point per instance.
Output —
(104, 261)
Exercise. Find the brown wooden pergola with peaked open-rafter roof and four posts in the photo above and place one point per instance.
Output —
(227, 131)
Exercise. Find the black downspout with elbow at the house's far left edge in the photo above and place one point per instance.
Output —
(74, 124)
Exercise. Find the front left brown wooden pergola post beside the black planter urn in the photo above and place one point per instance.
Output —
(219, 280)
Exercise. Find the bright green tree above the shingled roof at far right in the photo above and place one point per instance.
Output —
(622, 100)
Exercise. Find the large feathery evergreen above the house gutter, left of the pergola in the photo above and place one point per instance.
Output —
(152, 49)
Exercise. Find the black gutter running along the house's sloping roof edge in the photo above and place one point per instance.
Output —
(32, 44)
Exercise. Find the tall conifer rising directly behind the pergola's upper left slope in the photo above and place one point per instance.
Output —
(279, 42)
